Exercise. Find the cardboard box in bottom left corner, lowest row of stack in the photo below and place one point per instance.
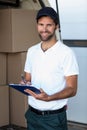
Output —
(4, 105)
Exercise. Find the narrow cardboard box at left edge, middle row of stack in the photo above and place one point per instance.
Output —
(2, 69)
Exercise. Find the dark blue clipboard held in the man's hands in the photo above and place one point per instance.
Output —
(21, 88)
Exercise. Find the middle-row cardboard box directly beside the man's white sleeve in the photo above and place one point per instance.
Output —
(15, 66)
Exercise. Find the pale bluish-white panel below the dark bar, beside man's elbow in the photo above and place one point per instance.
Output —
(77, 106)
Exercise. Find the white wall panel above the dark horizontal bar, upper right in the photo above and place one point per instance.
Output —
(73, 18)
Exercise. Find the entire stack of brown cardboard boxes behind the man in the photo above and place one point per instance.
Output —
(17, 33)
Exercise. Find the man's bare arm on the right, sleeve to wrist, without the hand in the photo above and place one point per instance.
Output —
(69, 91)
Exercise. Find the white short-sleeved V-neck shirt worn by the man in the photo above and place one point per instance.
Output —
(48, 70)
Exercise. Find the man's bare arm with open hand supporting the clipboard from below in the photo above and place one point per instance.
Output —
(69, 91)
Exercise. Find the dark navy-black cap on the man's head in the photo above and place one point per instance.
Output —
(48, 11)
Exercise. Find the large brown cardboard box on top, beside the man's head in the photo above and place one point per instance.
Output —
(17, 29)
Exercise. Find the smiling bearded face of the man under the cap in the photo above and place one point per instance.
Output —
(46, 28)
